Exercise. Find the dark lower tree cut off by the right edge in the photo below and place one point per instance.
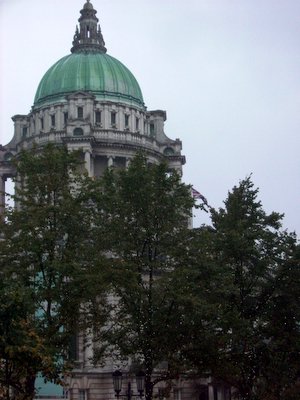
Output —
(281, 369)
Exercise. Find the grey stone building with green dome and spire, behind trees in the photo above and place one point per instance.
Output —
(90, 101)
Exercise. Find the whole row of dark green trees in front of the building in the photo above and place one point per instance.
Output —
(221, 300)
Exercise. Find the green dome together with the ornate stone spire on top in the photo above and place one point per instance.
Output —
(89, 69)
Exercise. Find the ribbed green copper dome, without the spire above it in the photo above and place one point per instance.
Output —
(95, 72)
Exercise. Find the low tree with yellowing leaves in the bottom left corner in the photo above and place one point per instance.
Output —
(21, 349)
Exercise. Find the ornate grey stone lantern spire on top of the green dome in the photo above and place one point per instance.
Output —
(89, 37)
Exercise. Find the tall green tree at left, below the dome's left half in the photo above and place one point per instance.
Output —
(46, 260)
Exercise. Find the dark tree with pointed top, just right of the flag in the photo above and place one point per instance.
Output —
(255, 257)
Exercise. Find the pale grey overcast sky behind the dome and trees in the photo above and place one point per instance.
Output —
(226, 72)
